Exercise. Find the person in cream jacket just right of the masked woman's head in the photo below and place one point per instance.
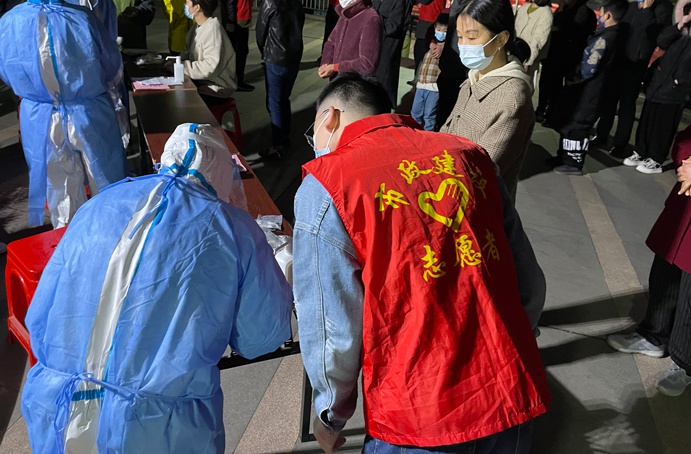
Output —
(534, 25)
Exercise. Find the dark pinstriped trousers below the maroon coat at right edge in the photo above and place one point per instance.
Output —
(668, 317)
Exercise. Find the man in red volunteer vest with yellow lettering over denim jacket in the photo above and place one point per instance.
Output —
(412, 266)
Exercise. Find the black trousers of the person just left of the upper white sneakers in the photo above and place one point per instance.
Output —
(620, 98)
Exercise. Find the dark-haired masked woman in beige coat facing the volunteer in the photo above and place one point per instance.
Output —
(494, 107)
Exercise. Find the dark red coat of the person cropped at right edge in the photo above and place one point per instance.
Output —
(670, 237)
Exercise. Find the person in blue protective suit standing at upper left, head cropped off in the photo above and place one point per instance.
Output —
(62, 64)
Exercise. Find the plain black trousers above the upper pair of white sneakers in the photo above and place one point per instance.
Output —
(656, 129)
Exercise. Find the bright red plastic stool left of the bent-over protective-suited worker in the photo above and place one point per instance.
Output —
(26, 259)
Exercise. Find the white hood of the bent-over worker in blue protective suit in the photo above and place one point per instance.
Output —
(198, 152)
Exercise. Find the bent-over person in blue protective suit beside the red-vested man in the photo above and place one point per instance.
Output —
(153, 279)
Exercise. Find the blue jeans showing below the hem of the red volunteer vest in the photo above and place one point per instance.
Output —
(515, 440)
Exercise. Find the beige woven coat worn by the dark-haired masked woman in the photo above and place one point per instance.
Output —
(497, 113)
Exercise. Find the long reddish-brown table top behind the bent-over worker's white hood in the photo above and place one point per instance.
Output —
(161, 112)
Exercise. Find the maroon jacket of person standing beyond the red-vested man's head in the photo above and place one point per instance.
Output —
(355, 43)
